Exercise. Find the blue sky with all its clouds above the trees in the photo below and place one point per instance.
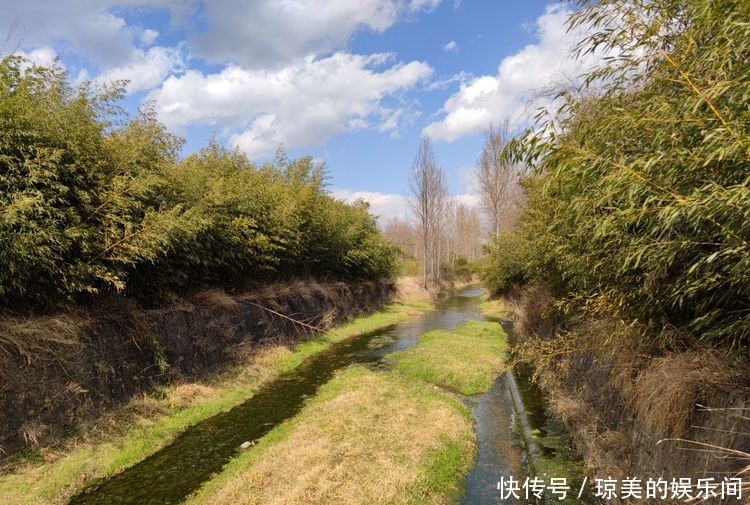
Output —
(353, 83)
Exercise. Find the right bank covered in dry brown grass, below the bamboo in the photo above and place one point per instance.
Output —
(635, 412)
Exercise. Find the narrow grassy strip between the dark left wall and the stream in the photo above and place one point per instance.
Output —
(128, 435)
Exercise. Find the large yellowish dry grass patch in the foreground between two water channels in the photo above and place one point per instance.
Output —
(402, 441)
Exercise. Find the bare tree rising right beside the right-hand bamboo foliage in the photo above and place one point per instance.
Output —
(494, 177)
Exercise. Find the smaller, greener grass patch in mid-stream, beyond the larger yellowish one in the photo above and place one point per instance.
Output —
(467, 359)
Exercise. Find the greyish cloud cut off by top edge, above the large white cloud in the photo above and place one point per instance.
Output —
(272, 34)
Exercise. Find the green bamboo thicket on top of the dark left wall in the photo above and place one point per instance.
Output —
(94, 201)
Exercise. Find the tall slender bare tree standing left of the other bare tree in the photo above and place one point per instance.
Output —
(428, 206)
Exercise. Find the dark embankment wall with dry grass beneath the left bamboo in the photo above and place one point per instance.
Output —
(57, 371)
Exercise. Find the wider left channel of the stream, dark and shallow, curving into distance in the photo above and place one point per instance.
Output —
(172, 473)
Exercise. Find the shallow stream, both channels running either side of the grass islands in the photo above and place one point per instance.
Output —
(180, 468)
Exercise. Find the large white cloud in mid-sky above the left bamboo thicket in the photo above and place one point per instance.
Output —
(300, 105)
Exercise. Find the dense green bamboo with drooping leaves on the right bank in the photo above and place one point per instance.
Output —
(640, 199)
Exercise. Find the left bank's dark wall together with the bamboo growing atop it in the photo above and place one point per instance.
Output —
(126, 266)
